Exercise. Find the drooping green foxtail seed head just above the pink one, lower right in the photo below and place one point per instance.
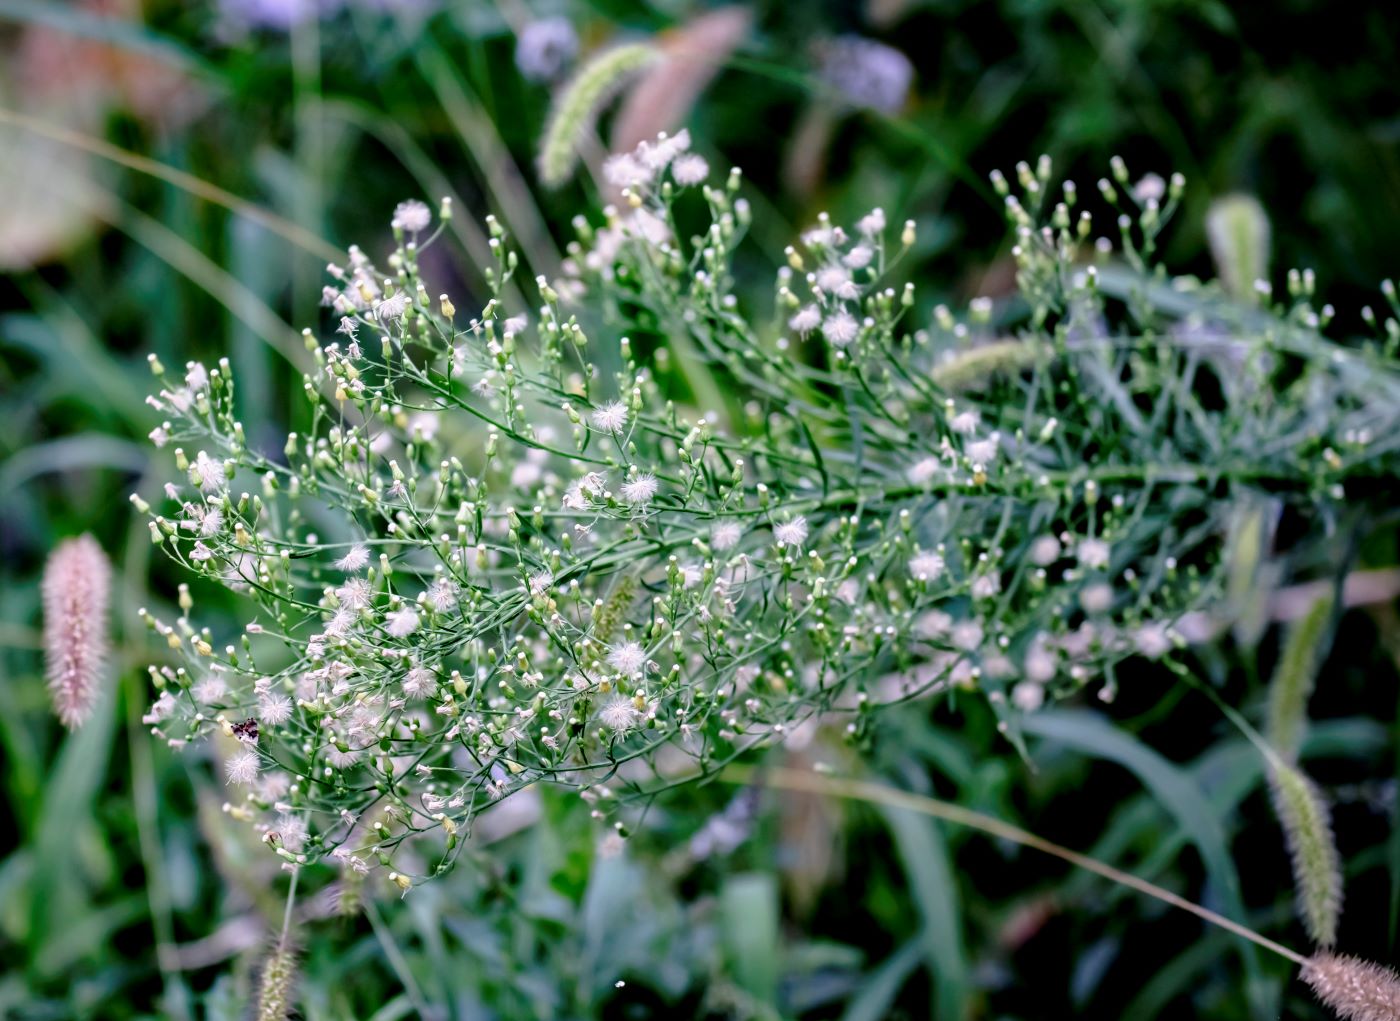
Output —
(1317, 865)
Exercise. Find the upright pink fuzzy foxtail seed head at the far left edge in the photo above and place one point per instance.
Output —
(78, 583)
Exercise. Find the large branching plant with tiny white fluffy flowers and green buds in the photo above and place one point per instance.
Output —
(621, 539)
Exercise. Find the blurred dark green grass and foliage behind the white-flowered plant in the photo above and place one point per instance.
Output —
(174, 179)
